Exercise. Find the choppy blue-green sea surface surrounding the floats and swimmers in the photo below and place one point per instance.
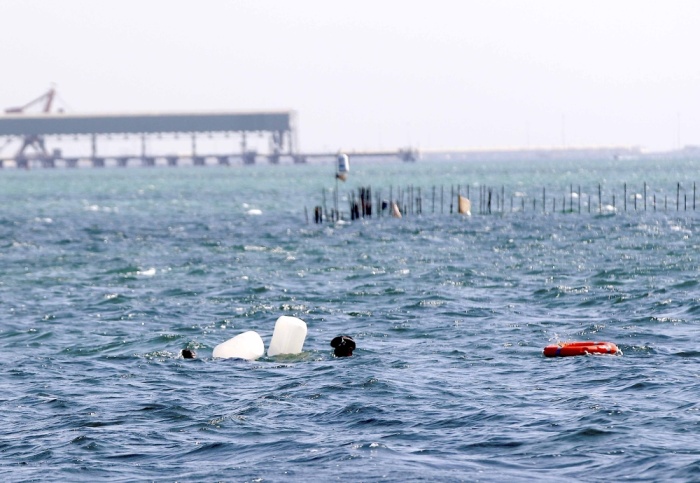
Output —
(108, 273)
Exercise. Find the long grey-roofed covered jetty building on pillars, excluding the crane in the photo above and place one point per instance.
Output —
(33, 130)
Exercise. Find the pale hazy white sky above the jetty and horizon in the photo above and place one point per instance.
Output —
(375, 74)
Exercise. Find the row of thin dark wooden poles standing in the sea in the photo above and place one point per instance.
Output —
(366, 202)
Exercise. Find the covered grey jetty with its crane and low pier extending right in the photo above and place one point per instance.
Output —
(30, 134)
